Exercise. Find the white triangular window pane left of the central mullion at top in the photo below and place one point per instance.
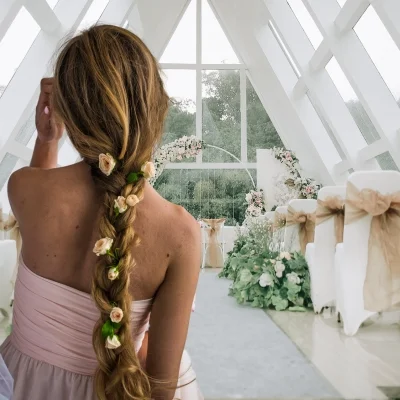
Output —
(182, 46)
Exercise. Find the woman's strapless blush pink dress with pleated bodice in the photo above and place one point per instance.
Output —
(49, 352)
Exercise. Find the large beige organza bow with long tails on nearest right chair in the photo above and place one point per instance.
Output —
(382, 282)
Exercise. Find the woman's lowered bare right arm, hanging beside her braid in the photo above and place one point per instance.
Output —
(172, 308)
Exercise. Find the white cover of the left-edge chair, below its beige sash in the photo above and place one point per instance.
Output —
(8, 259)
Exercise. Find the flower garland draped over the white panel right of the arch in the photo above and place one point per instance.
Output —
(306, 188)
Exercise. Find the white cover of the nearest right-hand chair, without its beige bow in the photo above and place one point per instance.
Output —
(352, 255)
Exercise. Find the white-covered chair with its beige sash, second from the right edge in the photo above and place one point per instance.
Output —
(320, 255)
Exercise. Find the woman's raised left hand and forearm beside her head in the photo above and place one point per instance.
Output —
(45, 153)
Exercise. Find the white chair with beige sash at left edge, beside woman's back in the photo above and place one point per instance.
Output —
(10, 249)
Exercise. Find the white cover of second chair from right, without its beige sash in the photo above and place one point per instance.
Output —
(320, 255)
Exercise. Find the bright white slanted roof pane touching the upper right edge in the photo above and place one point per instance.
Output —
(381, 48)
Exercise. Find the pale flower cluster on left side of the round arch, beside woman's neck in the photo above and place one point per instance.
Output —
(184, 147)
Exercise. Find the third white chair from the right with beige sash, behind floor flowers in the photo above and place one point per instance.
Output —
(300, 224)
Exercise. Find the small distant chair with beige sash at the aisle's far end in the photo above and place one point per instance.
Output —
(214, 243)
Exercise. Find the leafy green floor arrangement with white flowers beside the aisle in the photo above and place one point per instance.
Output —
(263, 277)
